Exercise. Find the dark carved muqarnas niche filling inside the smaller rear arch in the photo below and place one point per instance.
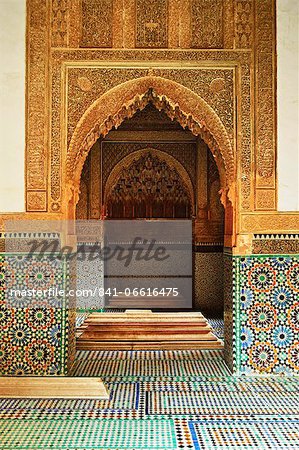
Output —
(149, 188)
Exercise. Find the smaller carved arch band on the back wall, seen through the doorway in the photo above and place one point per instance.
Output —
(170, 161)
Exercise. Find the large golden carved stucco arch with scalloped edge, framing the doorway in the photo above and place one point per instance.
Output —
(124, 100)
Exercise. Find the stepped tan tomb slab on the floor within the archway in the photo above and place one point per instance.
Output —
(141, 330)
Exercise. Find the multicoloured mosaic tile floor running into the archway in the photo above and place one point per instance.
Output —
(160, 400)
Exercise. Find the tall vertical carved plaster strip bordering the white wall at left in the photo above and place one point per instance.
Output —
(37, 106)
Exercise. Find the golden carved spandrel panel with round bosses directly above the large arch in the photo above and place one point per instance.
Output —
(85, 85)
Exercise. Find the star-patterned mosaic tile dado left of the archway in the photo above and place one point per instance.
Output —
(36, 336)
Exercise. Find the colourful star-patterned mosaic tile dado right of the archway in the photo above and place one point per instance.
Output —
(266, 314)
